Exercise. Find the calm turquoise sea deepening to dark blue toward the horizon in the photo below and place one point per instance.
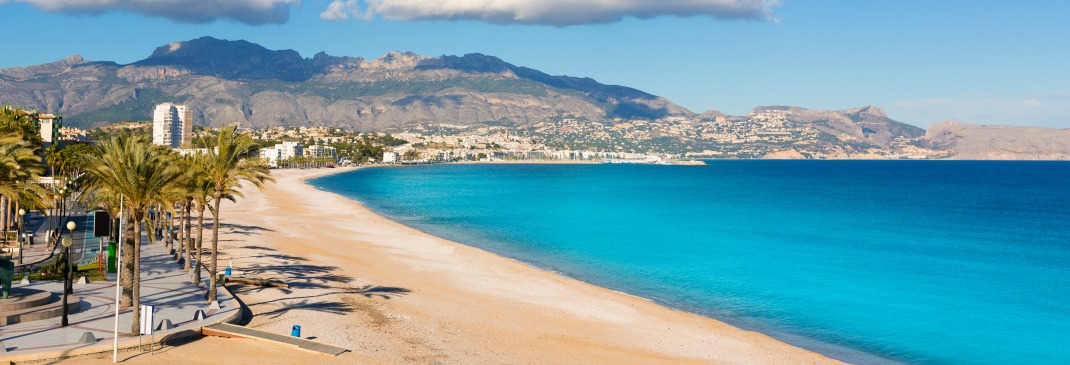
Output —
(935, 263)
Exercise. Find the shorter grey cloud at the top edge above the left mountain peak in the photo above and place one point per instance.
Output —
(253, 12)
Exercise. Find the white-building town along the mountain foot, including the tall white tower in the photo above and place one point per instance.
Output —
(762, 134)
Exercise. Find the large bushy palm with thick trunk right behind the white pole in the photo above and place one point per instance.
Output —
(143, 174)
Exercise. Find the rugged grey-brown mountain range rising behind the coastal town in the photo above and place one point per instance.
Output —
(228, 82)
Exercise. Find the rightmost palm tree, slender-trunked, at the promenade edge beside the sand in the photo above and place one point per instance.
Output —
(227, 164)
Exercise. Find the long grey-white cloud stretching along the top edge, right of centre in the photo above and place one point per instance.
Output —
(564, 13)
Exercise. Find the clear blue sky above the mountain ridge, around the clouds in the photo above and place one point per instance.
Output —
(986, 63)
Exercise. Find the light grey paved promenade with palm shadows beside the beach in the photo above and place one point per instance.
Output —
(164, 285)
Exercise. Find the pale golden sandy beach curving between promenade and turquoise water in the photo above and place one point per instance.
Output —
(393, 295)
